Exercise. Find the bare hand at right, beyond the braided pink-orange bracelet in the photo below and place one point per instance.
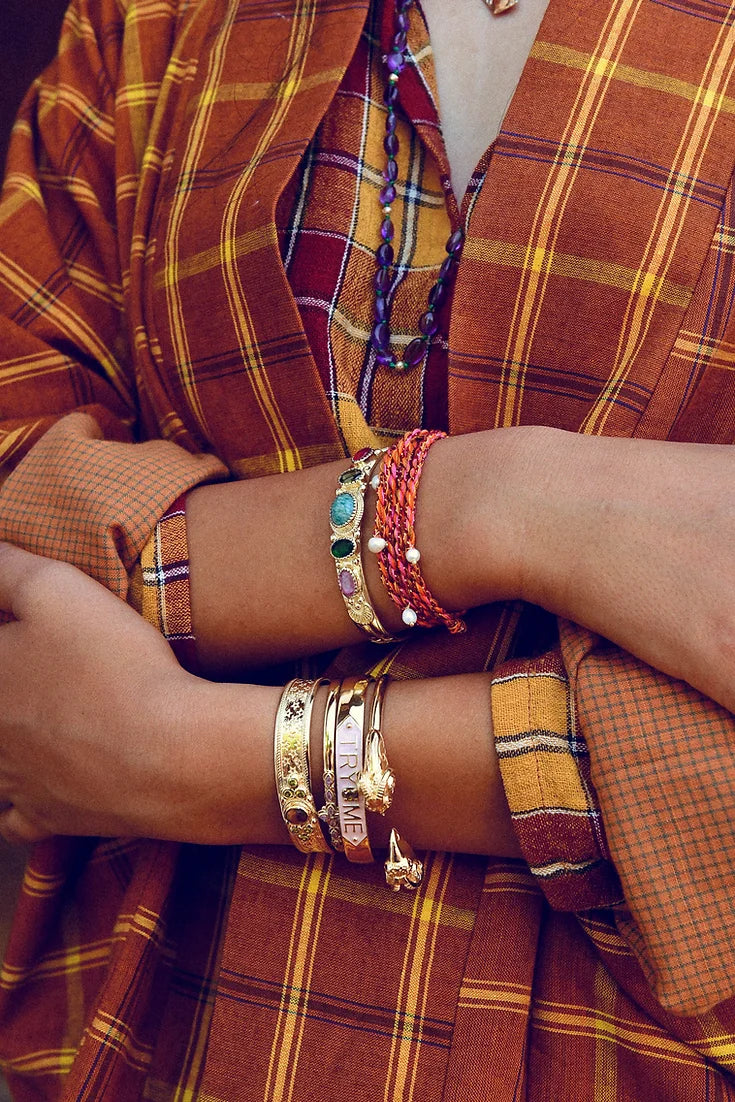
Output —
(636, 541)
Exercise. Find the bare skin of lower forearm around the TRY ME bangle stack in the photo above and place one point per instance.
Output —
(439, 740)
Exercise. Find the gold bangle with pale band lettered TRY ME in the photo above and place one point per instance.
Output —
(350, 726)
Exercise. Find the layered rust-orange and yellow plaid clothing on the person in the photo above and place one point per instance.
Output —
(154, 339)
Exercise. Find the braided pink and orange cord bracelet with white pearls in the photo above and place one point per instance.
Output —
(394, 539)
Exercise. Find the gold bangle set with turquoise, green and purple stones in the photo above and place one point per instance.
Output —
(345, 518)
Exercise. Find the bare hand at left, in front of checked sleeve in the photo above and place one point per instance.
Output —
(94, 710)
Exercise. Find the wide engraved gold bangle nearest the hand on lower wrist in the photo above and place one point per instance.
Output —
(291, 765)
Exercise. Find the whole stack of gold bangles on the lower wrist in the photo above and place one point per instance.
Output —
(358, 777)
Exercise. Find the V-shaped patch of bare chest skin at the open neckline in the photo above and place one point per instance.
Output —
(479, 60)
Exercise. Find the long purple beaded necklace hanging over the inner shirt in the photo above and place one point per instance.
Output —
(382, 338)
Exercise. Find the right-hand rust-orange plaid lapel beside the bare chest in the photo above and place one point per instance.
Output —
(597, 215)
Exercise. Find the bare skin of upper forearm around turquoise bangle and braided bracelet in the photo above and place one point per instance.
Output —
(264, 584)
